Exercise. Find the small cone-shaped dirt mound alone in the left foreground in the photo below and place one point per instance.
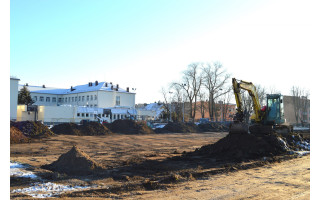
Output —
(74, 162)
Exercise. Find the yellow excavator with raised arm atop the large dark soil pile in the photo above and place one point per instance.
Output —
(266, 119)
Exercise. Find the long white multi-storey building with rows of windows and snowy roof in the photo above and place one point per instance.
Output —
(92, 101)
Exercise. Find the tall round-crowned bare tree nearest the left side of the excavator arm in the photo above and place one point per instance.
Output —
(215, 79)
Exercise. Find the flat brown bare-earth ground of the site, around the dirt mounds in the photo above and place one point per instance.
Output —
(149, 167)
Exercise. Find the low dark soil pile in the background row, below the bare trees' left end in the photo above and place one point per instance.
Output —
(178, 127)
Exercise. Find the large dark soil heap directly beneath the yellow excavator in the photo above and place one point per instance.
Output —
(244, 146)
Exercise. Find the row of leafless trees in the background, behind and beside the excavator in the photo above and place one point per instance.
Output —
(207, 88)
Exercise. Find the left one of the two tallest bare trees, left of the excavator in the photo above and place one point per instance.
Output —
(191, 84)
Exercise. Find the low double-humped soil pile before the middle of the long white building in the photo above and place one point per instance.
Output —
(90, 128)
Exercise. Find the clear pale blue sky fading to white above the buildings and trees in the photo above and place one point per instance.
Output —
(146, 44)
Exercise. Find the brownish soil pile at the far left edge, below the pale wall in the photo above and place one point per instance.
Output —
(32, 129)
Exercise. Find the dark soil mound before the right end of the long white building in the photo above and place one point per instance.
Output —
(130, 127)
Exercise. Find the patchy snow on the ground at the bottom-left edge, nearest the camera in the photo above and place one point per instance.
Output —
(45, 190)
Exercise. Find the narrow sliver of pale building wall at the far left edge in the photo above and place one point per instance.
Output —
(13, 97)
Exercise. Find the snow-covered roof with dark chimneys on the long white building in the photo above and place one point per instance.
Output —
(101, 86)
